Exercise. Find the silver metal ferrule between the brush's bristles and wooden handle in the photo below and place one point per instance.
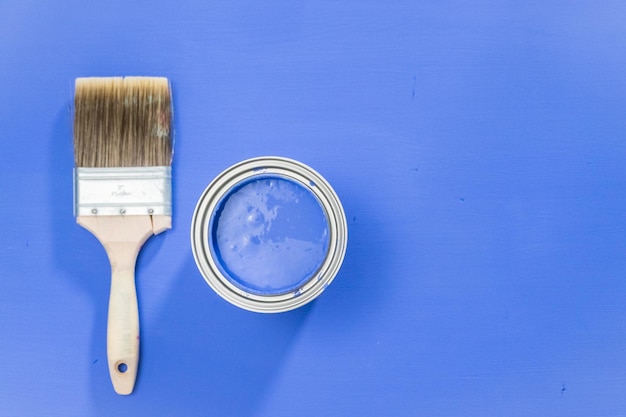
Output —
(123, 191)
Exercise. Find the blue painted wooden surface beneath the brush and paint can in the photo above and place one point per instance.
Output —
(479, 149)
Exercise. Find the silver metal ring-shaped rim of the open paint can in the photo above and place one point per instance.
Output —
(294, 171)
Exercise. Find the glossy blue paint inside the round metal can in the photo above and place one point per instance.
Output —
(269, 235)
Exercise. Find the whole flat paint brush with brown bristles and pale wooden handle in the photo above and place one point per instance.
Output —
(122, 192)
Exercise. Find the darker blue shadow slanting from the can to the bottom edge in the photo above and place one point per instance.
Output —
(206, 352)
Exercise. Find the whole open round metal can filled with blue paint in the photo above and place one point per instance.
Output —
(269, 234)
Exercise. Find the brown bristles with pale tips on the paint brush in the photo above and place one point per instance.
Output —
(122, 122)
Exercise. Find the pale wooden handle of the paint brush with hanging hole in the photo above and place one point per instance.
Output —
(122, 238)
